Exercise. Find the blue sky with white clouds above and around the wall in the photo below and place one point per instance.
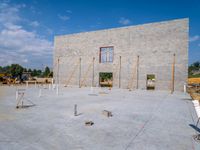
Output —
(28, 27)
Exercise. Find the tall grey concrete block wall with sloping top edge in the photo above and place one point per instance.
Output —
(154, 43)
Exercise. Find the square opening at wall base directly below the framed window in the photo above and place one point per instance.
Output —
(105, 79)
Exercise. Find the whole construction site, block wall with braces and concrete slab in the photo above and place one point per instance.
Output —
(117, 89)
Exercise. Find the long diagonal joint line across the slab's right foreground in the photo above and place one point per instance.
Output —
(142, 128)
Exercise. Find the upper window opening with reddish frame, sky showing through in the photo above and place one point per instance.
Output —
(106, 54)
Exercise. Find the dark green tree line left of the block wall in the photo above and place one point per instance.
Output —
(16, 70)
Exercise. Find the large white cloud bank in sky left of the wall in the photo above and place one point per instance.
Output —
(18, 45)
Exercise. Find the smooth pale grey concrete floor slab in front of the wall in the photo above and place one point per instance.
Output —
(145, 120)
